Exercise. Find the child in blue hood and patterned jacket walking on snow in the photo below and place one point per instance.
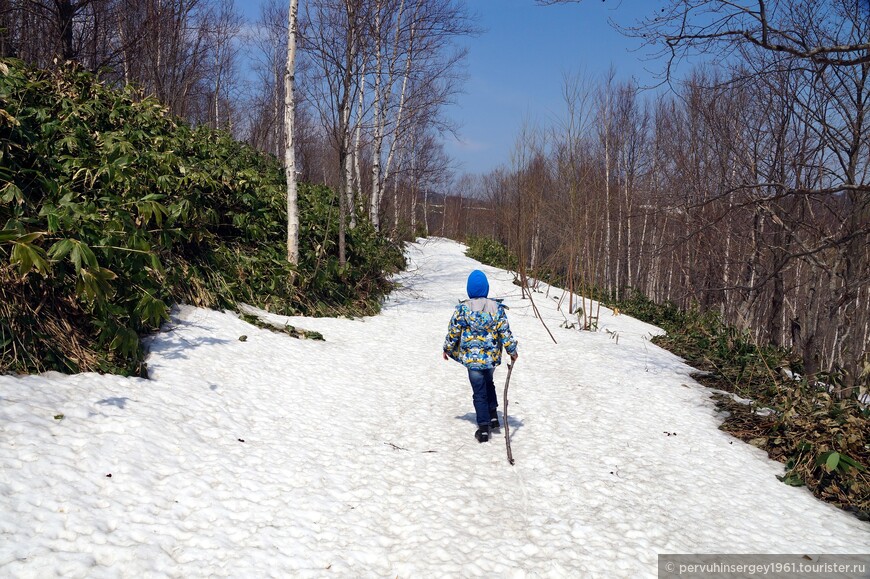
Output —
(477, 332)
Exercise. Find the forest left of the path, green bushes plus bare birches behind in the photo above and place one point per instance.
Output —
(133, 115)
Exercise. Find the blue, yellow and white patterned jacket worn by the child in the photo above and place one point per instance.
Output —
(478, 330)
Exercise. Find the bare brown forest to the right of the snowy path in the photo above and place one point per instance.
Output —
(744, 191)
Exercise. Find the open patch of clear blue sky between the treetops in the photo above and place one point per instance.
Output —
(516, 68)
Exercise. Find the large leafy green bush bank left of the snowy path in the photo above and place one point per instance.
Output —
(111, 210)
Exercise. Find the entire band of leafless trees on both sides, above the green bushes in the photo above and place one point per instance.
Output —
(743, 189)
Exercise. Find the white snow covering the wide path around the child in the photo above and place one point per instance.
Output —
(355, 456)
